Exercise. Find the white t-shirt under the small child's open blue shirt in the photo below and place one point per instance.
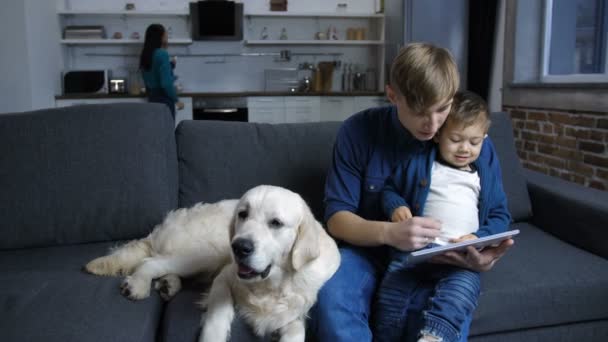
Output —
(453, 199)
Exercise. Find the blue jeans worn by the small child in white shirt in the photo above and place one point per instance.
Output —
(448, 311)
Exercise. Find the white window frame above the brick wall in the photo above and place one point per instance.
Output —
(546, 48)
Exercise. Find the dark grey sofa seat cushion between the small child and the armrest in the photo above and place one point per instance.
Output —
(542, 281)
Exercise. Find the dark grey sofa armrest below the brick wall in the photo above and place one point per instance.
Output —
(573, 213)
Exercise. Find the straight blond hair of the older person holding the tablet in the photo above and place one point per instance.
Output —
(424, 74)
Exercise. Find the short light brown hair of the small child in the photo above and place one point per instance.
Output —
(468, 109)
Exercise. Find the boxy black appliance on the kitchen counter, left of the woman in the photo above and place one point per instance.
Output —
(85, 82)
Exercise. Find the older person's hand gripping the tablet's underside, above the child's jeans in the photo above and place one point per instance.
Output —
(474, 259)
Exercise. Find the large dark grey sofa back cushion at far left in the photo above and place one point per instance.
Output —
(85, 173)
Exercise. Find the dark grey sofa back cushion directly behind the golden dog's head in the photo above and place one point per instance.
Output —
(219, 160)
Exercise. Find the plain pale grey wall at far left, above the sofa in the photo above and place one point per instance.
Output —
(30, 61)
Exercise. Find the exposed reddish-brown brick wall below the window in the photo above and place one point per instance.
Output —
(566, 144)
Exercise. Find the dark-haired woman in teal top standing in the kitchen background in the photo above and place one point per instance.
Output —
(157, 69)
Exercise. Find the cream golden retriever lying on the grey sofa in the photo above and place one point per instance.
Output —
(280, 258)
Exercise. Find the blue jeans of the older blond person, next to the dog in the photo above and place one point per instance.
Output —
(344, 307)
